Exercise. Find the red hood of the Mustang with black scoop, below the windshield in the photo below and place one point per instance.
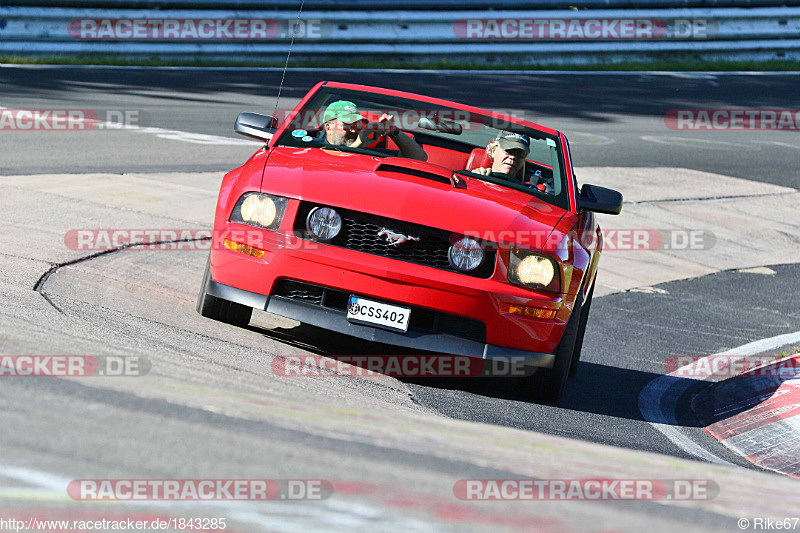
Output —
(408, 190)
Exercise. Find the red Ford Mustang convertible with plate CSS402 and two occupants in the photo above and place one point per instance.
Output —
(415, 222)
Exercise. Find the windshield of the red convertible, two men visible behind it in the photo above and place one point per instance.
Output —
(462, 141)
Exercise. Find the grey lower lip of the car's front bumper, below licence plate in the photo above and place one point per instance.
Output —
(336, 320)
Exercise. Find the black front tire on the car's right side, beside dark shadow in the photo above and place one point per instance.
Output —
(548, 384)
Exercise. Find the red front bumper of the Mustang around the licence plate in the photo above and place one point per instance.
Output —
(485, 300)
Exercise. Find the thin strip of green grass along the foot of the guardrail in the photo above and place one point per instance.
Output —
(659, 65)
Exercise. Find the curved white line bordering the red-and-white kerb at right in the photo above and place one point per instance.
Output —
(658, 398)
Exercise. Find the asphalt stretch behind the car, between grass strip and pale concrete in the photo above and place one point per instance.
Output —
(612, 120)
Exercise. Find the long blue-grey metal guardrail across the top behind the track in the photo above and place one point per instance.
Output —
(522, 37)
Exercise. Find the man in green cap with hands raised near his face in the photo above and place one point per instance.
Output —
(345, 126)
